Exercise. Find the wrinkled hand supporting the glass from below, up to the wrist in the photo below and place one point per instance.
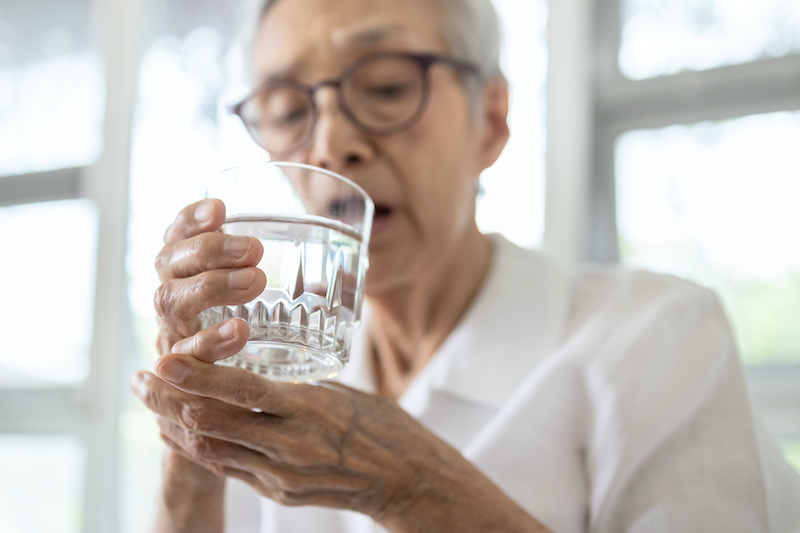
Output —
(322, 444)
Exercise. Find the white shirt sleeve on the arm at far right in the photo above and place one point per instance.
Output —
(673, 444)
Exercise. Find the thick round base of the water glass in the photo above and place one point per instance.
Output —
(279, 361)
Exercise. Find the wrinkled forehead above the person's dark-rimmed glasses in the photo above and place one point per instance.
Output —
(298, 37)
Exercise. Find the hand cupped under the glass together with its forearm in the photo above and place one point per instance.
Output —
(325, 444)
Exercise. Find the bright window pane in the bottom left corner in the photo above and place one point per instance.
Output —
(42, 484)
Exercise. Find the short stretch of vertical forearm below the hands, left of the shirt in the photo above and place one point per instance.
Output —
(192, 498)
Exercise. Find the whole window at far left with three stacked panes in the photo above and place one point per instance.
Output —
(62, 210)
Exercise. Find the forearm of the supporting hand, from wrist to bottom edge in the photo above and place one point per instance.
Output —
(459, 498)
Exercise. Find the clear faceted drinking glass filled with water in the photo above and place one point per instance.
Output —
(314, 226)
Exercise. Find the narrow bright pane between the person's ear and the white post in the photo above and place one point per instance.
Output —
(513, 199)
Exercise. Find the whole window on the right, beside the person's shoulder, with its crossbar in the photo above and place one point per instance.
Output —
(695, 120)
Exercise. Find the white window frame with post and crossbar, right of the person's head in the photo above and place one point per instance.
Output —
(590, 104)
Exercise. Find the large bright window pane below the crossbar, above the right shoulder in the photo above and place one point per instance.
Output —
(717, 203)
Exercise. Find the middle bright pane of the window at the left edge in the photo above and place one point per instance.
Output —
(47, 283)
